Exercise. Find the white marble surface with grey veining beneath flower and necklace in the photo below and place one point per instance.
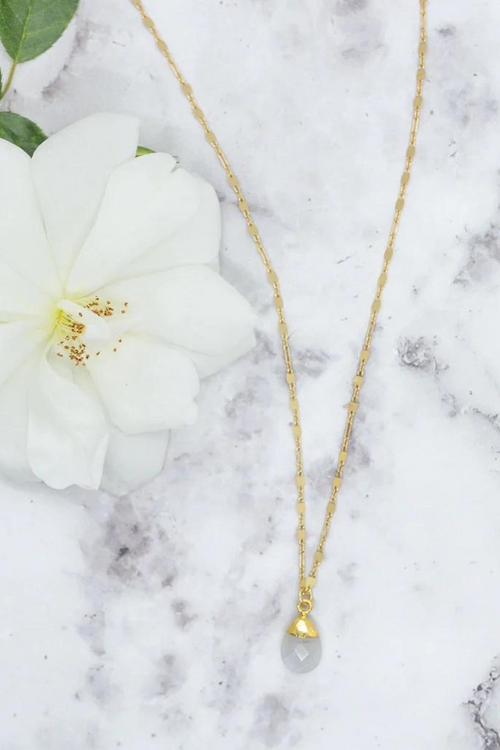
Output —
(155, 620)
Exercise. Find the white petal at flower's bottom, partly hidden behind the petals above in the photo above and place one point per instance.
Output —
(132, 460)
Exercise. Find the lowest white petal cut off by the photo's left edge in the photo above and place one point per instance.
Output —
(14, 395)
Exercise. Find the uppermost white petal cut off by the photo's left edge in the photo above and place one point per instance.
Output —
(24, 244)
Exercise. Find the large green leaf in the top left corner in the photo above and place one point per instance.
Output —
(29, 27)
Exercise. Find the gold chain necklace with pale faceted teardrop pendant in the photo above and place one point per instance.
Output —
(301, 647)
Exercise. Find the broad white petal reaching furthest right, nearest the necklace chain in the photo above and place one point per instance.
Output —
(193, 308)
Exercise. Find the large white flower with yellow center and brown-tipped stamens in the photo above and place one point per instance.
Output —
(110, 307)
